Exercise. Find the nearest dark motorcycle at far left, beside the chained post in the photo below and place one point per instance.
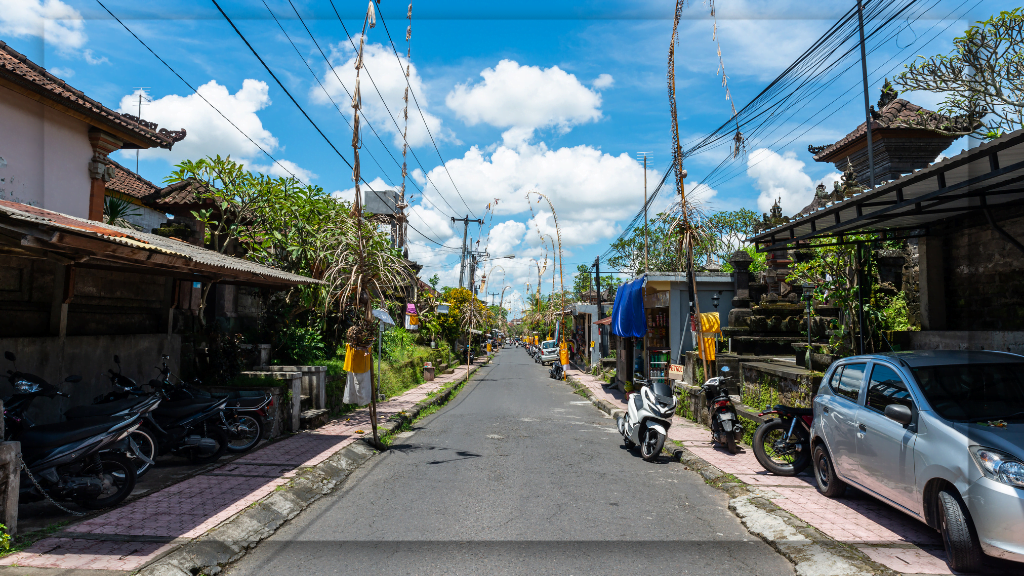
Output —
(81, 462)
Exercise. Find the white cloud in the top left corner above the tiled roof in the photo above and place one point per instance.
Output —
(61, 25)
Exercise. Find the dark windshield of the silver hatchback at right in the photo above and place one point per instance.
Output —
(974, 392)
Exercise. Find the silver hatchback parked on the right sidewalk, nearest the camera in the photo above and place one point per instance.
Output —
(938, 435)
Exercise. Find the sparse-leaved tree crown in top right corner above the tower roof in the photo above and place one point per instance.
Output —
(980, 77)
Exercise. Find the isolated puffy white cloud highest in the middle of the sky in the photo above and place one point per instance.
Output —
(528, 98)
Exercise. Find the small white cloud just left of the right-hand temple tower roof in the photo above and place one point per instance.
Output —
(782, 178)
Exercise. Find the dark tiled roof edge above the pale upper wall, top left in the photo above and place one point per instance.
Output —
(18, 69)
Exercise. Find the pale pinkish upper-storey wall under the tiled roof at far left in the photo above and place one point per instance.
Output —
(48, 155)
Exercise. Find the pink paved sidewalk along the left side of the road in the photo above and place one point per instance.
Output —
(130, 538)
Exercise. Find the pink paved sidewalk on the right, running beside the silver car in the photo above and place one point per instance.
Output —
(885, 536)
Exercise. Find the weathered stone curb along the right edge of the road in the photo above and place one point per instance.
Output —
(812, 552)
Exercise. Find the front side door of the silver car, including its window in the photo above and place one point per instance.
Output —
(885, 448)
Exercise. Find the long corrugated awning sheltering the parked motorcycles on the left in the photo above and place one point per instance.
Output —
(35, 233)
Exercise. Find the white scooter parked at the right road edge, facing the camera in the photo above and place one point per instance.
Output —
(649, 418)
